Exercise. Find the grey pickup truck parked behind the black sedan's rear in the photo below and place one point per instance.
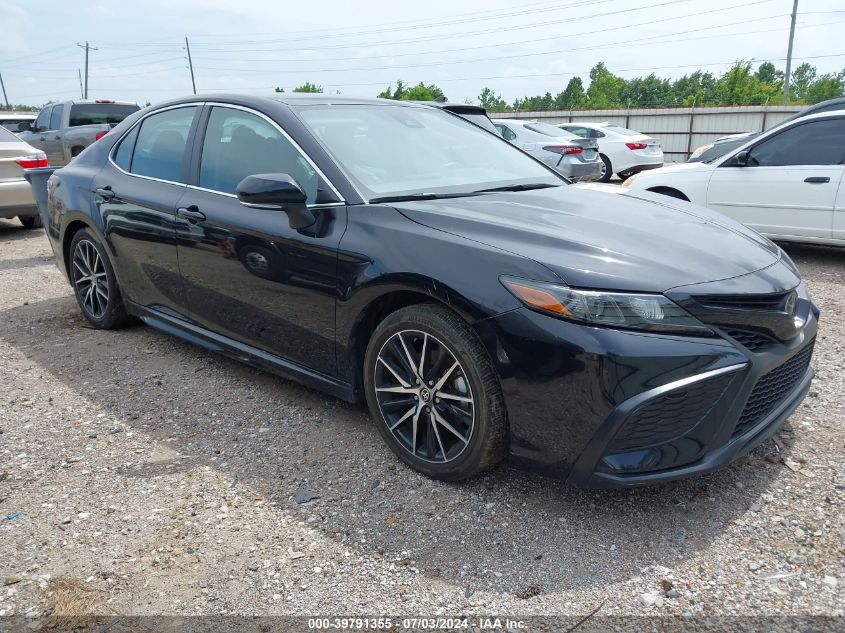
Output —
(63, 130)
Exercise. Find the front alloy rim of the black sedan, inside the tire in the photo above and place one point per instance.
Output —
(424, 396)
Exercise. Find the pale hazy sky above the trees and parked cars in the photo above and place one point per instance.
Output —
(359, 48)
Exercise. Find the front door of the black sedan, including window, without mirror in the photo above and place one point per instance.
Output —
(247, 274)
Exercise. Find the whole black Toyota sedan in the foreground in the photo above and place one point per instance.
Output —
(482, 306)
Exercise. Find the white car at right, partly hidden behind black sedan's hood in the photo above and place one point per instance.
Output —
(785, 183)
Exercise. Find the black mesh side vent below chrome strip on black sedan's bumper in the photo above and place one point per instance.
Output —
(671, 415)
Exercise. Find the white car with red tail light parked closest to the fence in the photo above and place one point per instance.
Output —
(622, 151)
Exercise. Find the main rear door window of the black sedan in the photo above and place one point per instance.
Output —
(160, 144)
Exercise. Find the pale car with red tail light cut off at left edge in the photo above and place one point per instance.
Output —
(16, 199)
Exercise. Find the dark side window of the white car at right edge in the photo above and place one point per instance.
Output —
(813, 143)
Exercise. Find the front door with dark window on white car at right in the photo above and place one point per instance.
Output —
(790, 184)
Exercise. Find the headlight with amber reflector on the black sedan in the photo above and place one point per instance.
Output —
(621, 310)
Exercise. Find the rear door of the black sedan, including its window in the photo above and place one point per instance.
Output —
(137, 193)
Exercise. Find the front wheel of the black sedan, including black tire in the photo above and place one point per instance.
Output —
(445, 338)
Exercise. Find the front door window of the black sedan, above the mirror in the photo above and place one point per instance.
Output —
(238, 144)
